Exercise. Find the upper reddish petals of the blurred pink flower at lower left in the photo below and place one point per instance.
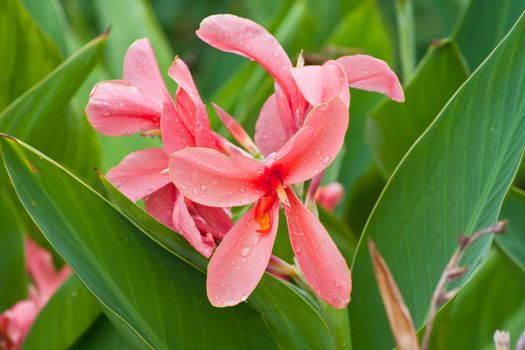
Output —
(42, 270)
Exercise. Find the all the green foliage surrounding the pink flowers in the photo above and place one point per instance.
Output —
(416, 174)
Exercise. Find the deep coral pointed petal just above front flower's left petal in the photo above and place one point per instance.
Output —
(175, 135)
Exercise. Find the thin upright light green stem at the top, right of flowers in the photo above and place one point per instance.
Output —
(407, 37)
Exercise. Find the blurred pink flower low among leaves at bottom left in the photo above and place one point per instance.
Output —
(16, 322)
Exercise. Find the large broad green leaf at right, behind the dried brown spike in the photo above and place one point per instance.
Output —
(452, 181)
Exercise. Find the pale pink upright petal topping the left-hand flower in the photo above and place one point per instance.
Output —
(141, 70)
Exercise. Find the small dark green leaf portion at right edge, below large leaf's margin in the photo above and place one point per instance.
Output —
(513, 241)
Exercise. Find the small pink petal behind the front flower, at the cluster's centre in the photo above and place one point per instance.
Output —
(270, 134)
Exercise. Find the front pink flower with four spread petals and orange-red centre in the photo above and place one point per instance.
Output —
(212, 178)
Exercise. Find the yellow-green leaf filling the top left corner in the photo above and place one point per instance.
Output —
(27, 53)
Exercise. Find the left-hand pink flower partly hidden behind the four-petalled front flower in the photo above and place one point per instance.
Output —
(141, 103)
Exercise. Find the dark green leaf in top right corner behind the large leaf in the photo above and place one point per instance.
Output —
(483, 25)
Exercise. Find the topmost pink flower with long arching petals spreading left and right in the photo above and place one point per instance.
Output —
(297, 89)
